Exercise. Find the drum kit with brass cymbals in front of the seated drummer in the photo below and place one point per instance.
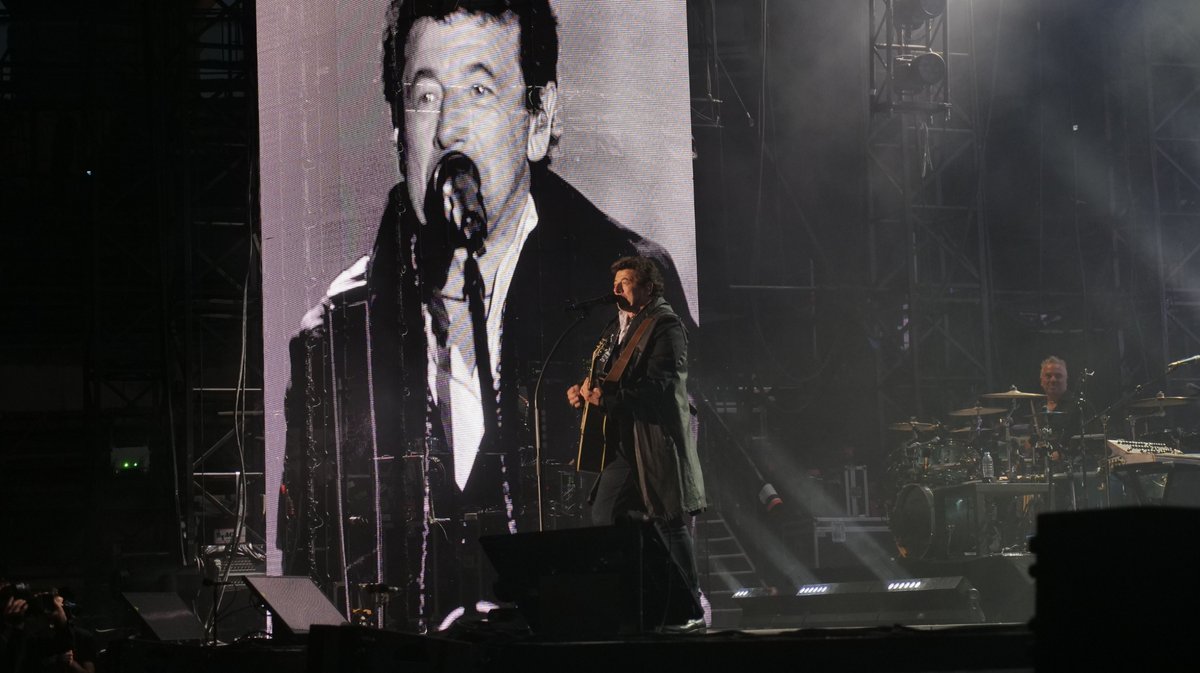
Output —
(1007, 444)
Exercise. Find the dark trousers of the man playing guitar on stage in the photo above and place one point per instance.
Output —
(619, 496)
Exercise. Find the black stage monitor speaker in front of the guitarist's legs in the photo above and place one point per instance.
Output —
(599, 581)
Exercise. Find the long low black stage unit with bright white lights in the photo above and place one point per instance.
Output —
(907, 602)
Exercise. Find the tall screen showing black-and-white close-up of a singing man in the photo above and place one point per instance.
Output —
(440, 182)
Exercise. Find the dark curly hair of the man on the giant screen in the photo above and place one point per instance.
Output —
(538, 47)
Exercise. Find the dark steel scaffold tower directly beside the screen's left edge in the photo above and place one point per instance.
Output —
(219, 326)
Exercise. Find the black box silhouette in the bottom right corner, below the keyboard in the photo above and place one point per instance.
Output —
(1125, 578)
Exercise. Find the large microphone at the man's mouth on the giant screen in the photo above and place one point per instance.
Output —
(455, 197)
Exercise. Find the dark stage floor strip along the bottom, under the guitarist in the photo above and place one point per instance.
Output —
(944, 648)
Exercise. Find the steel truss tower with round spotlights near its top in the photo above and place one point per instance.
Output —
(928, 237)
